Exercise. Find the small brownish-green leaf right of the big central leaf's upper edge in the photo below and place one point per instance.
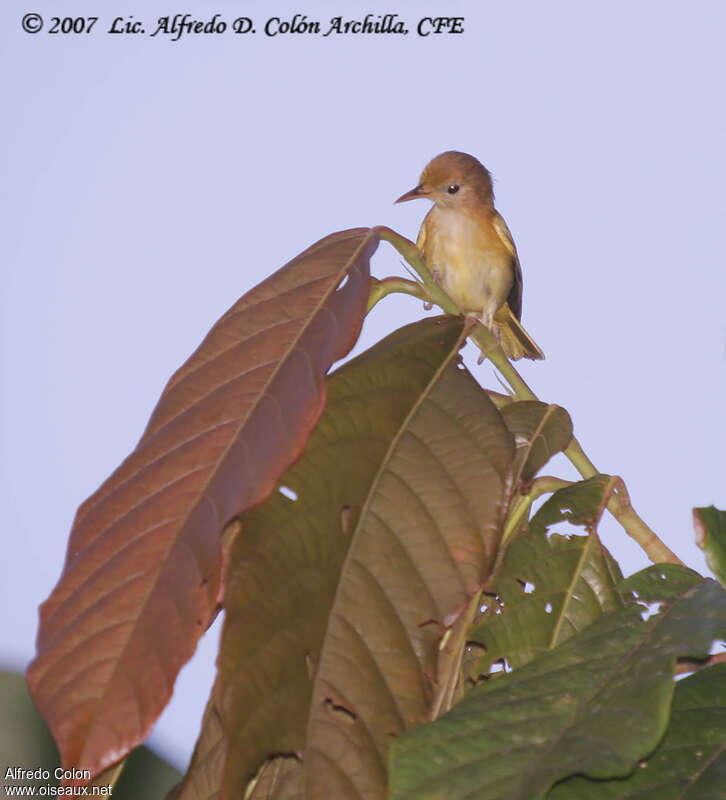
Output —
(540, 431)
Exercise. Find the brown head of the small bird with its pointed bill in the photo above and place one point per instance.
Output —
(454, 180)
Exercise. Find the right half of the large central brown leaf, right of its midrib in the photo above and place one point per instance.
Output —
(424, 544)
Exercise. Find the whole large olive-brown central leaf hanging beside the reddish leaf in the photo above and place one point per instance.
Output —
(345, 580)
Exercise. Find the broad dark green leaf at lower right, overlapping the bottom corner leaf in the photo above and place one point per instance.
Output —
(595, 705)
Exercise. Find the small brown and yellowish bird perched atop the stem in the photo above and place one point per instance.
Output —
(468, 248)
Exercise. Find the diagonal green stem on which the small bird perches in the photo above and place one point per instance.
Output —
(619, 504)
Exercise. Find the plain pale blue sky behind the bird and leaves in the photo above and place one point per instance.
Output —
(147, 184)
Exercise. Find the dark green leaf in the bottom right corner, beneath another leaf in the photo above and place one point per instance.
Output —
(690, 762)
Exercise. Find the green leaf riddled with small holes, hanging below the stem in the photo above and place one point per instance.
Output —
(550, 586)
